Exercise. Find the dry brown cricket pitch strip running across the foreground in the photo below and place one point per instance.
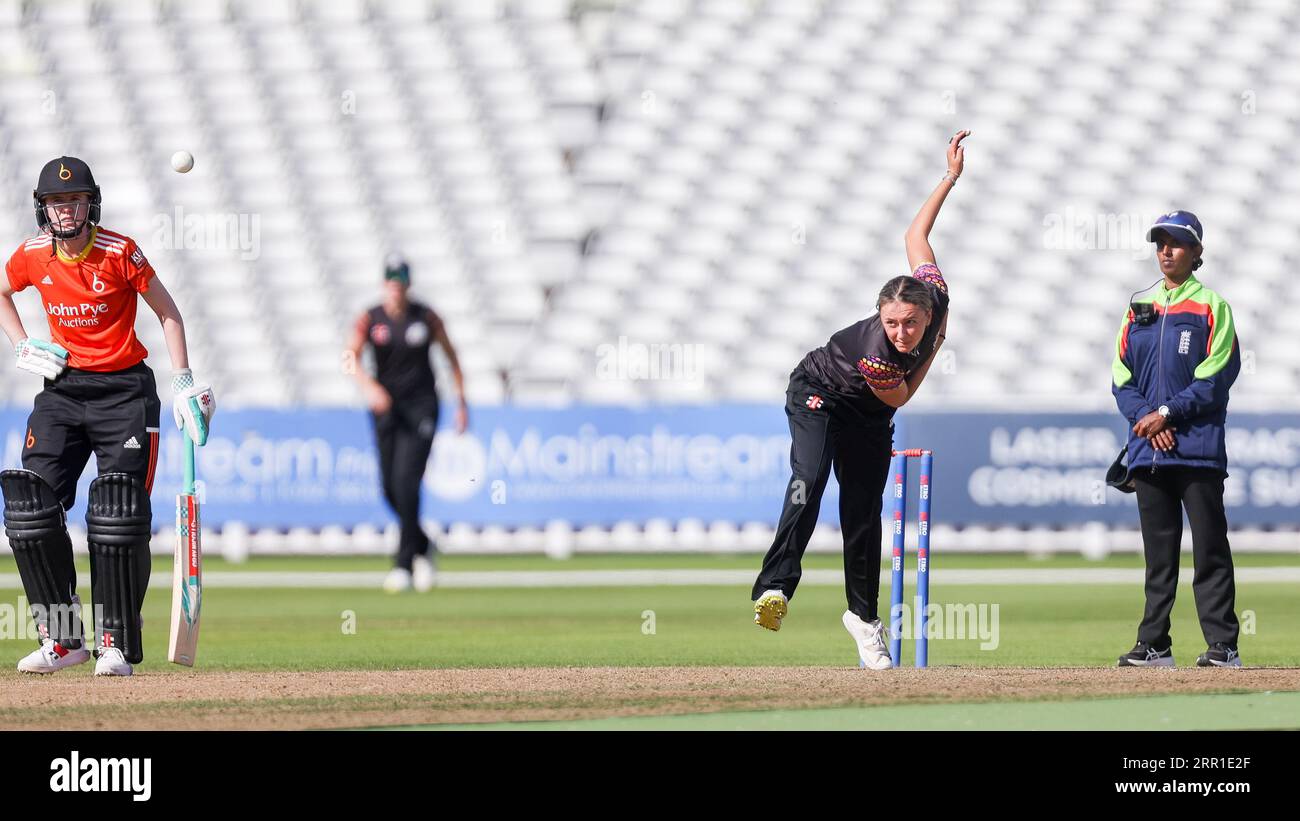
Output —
(305, 701)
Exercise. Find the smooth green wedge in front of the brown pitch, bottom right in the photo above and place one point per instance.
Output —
(1254, 711)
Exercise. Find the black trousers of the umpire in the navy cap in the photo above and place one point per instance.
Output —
(1163, 496)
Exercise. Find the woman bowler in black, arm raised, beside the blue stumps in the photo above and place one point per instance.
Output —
(840, 407)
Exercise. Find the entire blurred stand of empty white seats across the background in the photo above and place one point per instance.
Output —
(730, 175)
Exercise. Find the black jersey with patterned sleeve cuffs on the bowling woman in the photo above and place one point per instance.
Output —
(861, 358)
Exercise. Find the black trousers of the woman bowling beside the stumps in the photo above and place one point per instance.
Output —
(831, 435)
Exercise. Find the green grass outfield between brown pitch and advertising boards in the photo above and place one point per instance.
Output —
(305, 629)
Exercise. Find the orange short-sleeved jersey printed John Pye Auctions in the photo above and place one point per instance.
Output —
(90, 299)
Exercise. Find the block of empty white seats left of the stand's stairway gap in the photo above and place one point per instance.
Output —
(327, 134)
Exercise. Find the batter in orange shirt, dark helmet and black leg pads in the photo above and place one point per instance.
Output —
(99, 397)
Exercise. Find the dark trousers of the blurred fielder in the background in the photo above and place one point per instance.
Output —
(405, 438)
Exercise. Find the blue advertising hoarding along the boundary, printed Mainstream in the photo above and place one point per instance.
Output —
(600, 466)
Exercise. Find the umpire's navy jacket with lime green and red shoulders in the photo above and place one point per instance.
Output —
(1188, 359)
